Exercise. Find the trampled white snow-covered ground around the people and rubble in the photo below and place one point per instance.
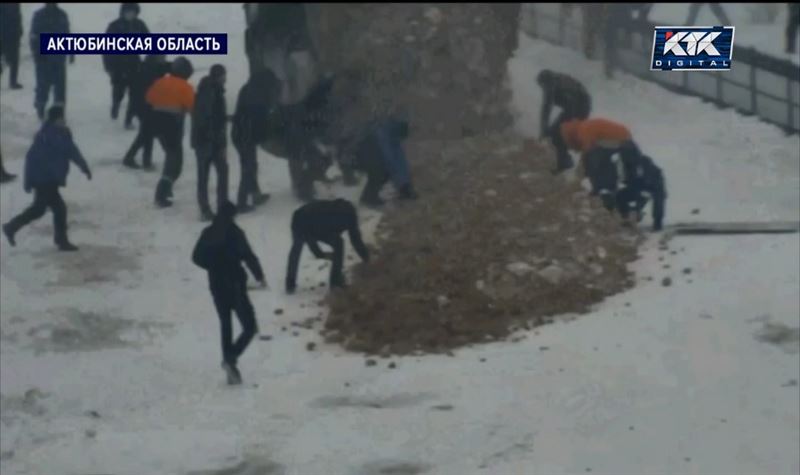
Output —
(659, 380)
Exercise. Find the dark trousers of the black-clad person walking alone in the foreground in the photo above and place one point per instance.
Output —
(231, 296)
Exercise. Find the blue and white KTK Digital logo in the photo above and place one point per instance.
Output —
(692, 48)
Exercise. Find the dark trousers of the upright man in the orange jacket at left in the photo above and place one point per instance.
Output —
(168, 128)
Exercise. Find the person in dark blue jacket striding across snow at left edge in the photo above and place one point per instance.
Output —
(46, 169)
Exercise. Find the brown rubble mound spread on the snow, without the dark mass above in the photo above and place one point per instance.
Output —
(495, 244)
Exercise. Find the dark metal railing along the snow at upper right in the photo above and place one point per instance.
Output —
(757, 84)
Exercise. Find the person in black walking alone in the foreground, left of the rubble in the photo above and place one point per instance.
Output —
(221, 249)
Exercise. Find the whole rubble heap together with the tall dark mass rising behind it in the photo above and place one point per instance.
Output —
(495, 242)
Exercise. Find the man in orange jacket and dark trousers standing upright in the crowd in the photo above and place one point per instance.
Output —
(171, 98)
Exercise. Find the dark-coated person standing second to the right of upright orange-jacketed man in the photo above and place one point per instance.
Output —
(257, 99)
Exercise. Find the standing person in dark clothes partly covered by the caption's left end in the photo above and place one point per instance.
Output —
(51, 69)
